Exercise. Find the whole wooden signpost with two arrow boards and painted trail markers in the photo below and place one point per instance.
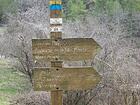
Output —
(56, 50)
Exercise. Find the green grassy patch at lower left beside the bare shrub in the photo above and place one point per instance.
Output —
(11, 82)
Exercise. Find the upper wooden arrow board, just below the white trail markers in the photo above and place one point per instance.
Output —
(64, 49)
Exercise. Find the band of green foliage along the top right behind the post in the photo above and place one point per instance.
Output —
(76, 8)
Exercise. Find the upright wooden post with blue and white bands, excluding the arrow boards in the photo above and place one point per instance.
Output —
(56, 96)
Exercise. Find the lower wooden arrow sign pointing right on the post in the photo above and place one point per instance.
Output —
(47, 79)
